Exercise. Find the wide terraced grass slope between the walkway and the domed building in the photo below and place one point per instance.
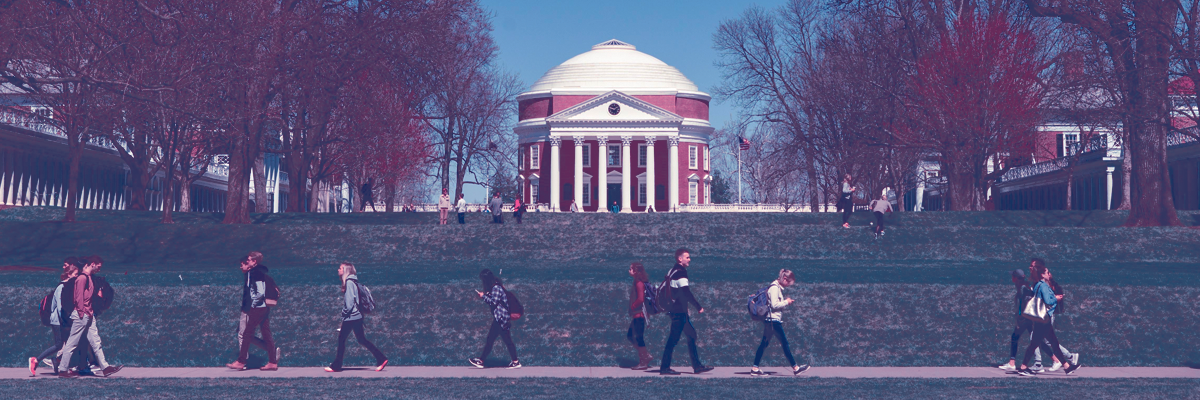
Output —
(932, 292)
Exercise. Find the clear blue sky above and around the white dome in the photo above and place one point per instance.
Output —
(537, 35)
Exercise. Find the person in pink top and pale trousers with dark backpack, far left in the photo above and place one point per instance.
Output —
(83, 320)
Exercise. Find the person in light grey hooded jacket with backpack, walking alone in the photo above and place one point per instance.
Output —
(356, 305)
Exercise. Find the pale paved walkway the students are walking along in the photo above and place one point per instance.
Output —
(619, 373)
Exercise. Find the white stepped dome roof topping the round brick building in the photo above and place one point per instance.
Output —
(614, 65)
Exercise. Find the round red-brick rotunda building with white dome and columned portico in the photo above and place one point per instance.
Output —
(614, 128)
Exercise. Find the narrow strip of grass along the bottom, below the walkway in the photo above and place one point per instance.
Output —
(609, 389)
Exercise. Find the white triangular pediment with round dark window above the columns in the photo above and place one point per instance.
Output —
(615, 108)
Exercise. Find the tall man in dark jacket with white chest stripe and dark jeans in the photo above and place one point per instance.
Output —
(681, 323)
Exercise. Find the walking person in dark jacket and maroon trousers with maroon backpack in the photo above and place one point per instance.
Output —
(259, 295)
